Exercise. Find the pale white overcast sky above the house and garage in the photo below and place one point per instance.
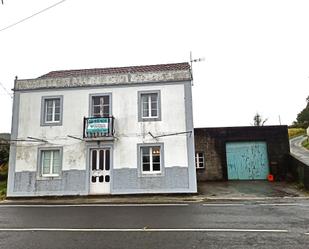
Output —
(256, 52)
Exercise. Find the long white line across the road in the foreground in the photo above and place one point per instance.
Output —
(141, 230)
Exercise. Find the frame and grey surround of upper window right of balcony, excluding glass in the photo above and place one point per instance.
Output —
(149, 117)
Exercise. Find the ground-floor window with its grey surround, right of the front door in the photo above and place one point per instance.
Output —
(150, 158)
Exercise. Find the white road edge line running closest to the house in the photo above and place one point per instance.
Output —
(94, 205)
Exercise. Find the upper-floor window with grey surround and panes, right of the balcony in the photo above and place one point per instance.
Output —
(149, 106)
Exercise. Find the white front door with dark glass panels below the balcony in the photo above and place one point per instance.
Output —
(100, 165)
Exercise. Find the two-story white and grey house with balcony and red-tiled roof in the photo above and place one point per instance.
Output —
(125, 130)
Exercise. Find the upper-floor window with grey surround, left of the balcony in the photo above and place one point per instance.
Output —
(51, 110)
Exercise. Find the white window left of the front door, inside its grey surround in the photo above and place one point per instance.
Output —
(50, 163)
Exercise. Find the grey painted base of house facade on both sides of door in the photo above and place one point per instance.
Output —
(124, 181)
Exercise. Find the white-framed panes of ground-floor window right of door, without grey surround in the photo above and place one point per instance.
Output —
(150, 159)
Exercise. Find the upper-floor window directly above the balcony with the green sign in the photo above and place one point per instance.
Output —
(100, 106)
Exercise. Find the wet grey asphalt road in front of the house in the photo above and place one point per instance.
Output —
(181, 226)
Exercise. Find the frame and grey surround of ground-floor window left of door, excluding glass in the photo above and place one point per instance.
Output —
(51, 166)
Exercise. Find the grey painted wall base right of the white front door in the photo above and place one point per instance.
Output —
(174, 180)
